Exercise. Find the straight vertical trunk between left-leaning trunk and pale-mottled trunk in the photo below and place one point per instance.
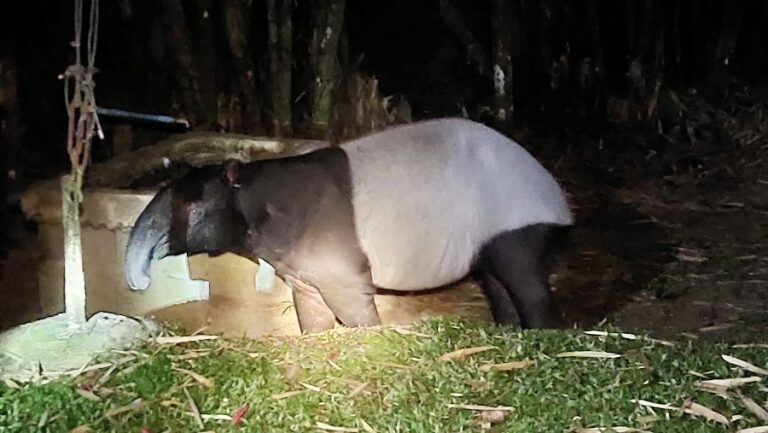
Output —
(280, 20)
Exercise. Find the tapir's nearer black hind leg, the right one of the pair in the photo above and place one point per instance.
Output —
(517, 260)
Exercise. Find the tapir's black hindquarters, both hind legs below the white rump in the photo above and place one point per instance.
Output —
(512, 271)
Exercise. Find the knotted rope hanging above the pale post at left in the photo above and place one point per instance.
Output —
(80, 98)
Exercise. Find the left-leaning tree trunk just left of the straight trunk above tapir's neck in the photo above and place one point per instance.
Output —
(237, 38)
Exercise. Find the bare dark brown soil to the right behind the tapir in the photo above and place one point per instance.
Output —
(685, 261)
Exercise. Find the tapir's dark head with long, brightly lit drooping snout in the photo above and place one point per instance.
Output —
(195, 213)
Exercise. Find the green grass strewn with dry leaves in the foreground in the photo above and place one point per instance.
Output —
(386, 380)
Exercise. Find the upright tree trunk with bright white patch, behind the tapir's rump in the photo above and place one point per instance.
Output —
(503, 78)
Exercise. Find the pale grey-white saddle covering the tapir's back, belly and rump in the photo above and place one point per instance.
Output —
(428, 195)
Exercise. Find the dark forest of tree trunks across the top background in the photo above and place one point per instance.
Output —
(336, 68)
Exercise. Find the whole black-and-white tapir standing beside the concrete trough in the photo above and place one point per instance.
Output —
(408, 208)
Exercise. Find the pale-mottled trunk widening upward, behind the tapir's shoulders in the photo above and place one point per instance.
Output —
(327, 21)
